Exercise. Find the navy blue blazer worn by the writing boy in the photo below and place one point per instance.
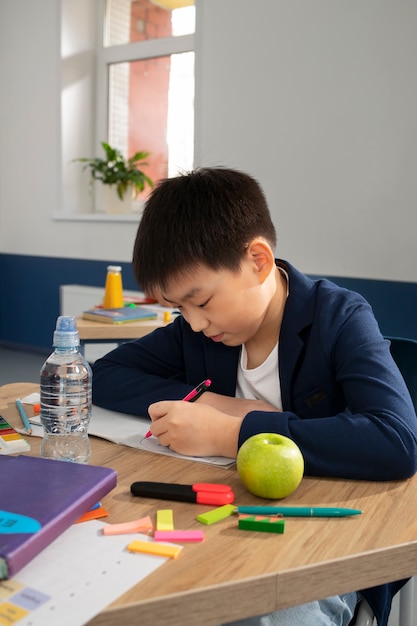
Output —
(344, 400)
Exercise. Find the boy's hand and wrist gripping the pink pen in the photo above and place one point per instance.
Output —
(195, 429)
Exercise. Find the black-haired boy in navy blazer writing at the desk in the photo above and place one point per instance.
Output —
(285, 354)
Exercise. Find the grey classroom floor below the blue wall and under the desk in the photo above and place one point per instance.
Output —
(17, 366)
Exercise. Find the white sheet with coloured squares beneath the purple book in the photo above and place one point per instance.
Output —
(74, 578)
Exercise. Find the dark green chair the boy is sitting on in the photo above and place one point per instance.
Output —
(404, 352)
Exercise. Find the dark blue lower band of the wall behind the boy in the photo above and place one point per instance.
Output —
(29, 303)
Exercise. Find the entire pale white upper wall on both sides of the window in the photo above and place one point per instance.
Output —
(315, 98)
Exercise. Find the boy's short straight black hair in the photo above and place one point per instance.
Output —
(202, 218)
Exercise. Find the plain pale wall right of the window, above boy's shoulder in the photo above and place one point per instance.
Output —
(318, 100)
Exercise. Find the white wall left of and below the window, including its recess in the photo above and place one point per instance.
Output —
(31, 189)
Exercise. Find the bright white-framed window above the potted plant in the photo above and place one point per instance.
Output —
(146, 82)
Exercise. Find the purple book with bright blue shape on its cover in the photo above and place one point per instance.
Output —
(39, 499)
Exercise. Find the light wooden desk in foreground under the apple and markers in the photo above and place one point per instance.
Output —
(235, 574)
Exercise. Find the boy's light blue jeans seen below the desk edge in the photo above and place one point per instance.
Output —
(334, 611)
